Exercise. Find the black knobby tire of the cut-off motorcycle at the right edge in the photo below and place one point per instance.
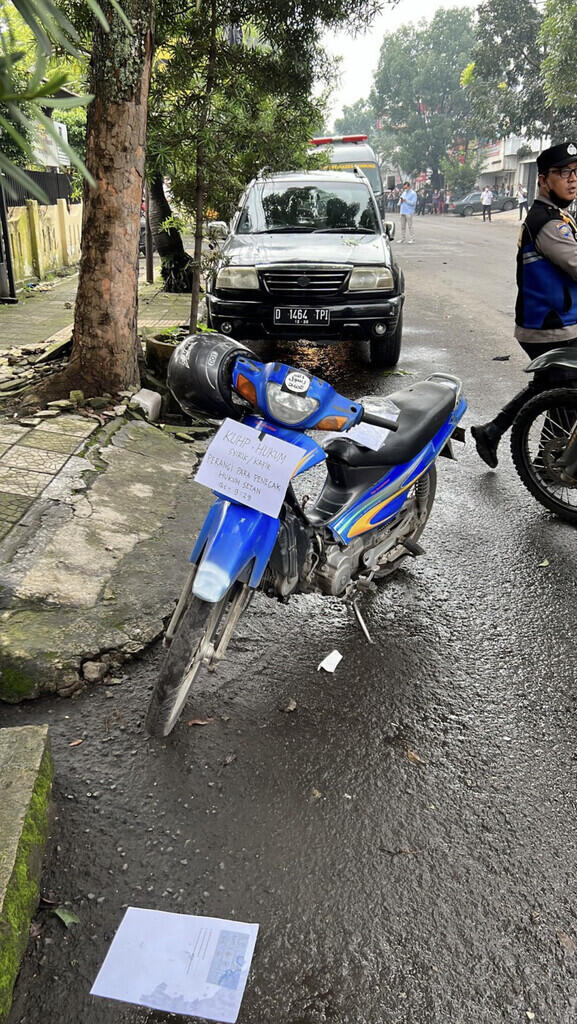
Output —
(560, 404)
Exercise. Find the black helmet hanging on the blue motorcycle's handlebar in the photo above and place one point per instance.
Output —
(200, 374)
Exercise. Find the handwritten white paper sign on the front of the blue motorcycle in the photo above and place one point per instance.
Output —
(250, 466)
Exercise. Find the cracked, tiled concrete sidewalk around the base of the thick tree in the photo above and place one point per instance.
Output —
(87, 563)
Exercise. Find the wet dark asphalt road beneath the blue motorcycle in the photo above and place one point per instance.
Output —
(406, 837)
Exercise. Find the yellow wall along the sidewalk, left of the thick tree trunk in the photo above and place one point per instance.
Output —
(44, 239)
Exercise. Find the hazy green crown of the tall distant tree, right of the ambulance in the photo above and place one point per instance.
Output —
(418, 91)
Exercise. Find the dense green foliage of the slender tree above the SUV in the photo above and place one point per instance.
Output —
(232, 108)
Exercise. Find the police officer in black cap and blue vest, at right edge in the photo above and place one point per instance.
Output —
(547, 280)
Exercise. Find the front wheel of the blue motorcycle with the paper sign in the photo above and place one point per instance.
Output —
(200, 639)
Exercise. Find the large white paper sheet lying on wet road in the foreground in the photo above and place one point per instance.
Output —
(180, 963)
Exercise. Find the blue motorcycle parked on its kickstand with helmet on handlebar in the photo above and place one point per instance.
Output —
(368, 518)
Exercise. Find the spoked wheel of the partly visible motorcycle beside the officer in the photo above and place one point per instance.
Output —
(541, 434)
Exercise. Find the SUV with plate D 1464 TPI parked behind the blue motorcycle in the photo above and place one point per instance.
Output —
(310, 258)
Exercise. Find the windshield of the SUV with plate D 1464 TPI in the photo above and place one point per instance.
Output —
(308, 206)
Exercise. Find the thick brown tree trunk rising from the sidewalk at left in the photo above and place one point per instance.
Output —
(105, 353)
